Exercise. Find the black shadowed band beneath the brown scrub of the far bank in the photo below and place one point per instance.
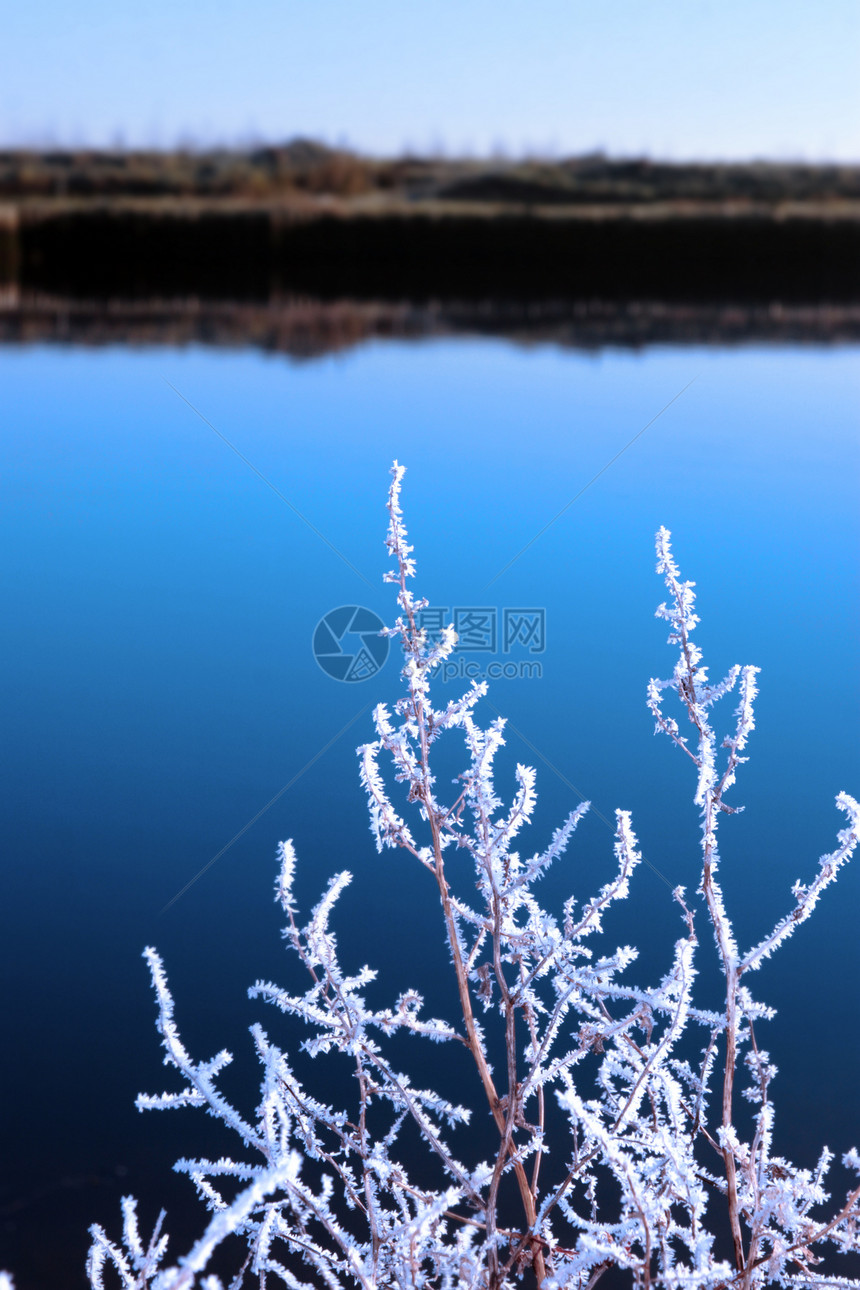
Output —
(422, 255)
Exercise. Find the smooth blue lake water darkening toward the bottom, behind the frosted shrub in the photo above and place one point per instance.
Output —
(161, 599)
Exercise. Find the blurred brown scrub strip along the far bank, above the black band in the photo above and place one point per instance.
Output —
(308, 168)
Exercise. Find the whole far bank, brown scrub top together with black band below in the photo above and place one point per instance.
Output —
(306, 219)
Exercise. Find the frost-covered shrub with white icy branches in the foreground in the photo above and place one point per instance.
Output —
(652, 1162)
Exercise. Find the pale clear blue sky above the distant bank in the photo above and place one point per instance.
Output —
(681, 79)
